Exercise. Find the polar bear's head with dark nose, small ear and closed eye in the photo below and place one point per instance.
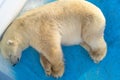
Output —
(11, 48)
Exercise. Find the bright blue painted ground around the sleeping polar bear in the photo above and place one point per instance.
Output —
(78, 64)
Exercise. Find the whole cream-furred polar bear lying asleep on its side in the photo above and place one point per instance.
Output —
(66, 22)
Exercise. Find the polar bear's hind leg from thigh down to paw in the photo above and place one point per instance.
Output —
(92, 36)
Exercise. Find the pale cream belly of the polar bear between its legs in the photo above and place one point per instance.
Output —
(71, 35)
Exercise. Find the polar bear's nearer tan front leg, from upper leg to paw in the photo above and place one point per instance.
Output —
(51, 50)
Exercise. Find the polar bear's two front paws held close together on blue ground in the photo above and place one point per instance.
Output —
(54, 70)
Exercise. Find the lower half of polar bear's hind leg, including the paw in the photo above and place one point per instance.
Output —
(96, 46)
